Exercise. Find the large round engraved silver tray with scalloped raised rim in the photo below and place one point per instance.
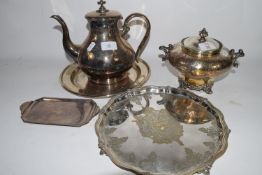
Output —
(162, 131)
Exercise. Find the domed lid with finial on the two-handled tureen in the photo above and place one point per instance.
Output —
(201, 45)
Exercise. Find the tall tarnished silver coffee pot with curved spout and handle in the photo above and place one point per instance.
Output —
(105, 53)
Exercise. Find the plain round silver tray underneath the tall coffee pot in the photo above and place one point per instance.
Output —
(74, 80)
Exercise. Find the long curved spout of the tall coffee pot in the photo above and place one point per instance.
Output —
(70, 48)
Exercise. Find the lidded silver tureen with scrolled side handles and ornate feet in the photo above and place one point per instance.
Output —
(200, 61)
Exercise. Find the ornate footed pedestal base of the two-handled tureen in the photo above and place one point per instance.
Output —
(196, 84)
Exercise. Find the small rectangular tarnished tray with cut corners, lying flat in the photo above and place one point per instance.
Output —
(59, 111)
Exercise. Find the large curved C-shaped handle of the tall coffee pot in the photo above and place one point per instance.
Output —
(147, 25)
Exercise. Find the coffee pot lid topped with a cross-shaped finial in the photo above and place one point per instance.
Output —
(102, 12)
